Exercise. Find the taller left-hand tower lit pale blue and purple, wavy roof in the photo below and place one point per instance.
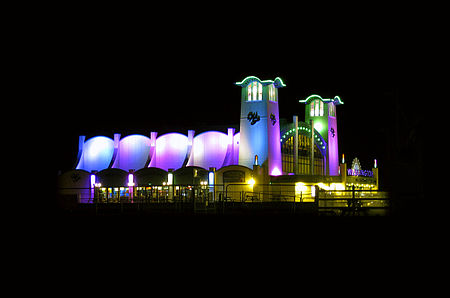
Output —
(260, 124)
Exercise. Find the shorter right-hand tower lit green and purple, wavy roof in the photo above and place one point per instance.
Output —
(323, 112)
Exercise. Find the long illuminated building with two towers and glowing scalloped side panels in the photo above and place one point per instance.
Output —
(265, 157)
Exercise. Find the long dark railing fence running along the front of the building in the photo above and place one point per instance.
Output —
(219, 198)
